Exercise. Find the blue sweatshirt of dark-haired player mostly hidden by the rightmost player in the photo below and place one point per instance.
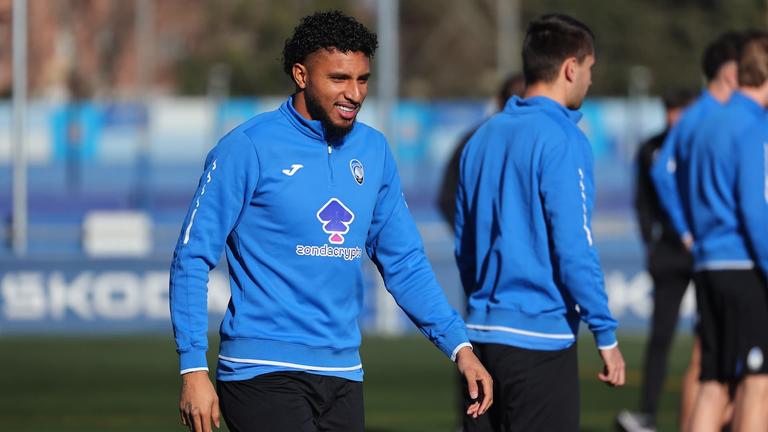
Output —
(672, 162)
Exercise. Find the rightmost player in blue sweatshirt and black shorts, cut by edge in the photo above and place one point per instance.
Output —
(723, 197)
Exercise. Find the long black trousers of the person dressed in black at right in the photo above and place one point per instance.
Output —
(671, 271)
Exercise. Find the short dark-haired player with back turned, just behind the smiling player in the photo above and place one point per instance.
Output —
(524, 243)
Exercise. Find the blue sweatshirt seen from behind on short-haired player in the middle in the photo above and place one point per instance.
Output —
(524, 244)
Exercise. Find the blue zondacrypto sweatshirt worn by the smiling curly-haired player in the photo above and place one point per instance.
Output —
(294, 215)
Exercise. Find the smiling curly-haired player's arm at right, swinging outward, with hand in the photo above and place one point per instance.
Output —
(395, 246)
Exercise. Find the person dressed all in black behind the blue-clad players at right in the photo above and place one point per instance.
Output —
(669, 264)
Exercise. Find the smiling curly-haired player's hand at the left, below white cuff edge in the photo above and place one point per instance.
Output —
(198, 403)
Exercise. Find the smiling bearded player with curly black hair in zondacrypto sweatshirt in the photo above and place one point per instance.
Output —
(295, 197)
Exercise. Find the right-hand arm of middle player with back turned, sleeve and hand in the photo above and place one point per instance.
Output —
(567, 193)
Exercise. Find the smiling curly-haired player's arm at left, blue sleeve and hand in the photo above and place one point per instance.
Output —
(228, 181)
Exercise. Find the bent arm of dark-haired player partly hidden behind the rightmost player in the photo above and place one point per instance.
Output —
(664, 179)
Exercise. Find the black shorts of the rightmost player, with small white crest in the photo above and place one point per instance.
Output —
(733, 310)
